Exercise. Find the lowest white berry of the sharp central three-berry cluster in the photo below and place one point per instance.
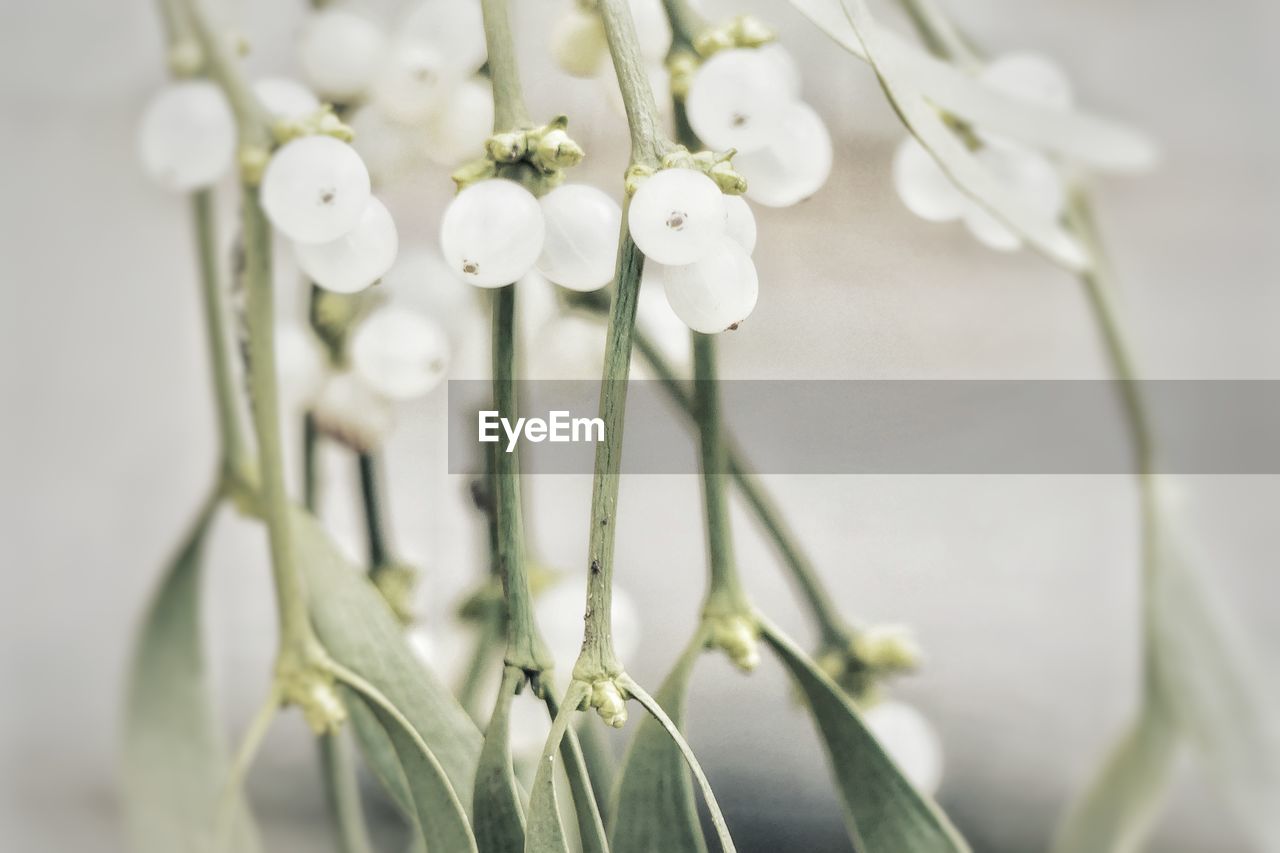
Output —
(715, 294)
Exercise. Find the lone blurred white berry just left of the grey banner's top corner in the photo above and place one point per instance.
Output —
(399, 353)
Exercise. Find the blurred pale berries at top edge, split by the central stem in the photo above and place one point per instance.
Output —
(580, 48)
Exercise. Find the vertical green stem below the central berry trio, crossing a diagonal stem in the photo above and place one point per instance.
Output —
(725, 592)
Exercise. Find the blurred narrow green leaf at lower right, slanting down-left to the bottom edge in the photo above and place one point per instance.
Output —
(1117, 810)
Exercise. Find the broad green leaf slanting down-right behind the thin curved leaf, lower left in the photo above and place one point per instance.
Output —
(363, 635)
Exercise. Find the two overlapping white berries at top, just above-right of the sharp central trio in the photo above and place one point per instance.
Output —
(748, 99)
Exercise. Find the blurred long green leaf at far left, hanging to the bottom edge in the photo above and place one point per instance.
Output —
(175, 759)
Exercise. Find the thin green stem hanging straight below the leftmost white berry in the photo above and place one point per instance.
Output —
(235, 455)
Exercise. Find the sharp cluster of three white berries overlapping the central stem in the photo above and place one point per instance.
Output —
(698, 245)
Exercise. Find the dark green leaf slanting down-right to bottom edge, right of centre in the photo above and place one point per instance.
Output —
(884, 810)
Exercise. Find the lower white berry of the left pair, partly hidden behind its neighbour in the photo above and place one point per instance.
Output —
(359, 258)
